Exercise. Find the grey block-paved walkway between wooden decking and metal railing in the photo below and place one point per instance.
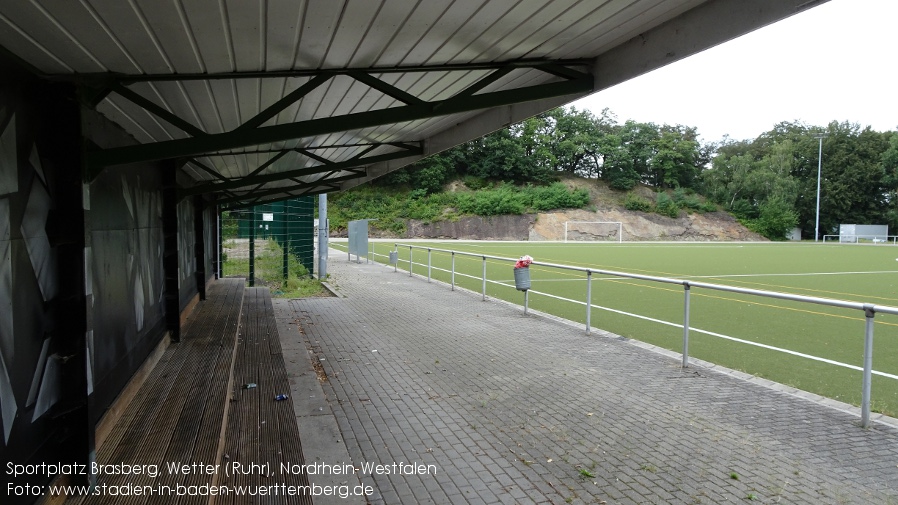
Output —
(509, 408)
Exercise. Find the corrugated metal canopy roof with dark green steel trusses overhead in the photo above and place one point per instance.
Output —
(273, 99)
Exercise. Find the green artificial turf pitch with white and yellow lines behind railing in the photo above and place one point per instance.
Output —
(859, 273)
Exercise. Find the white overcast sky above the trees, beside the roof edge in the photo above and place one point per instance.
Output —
(832, 62)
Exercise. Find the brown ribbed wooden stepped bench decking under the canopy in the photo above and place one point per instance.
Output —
(192, 410)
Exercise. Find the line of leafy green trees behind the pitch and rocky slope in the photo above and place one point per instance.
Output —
(770, 181)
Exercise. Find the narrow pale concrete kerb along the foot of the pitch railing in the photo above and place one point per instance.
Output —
(694, 362)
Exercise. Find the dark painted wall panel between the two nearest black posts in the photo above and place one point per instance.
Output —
(127, 277)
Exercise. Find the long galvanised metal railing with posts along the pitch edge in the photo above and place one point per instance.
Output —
(869, 309)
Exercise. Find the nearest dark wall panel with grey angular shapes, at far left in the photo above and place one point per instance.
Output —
(43, 393)
